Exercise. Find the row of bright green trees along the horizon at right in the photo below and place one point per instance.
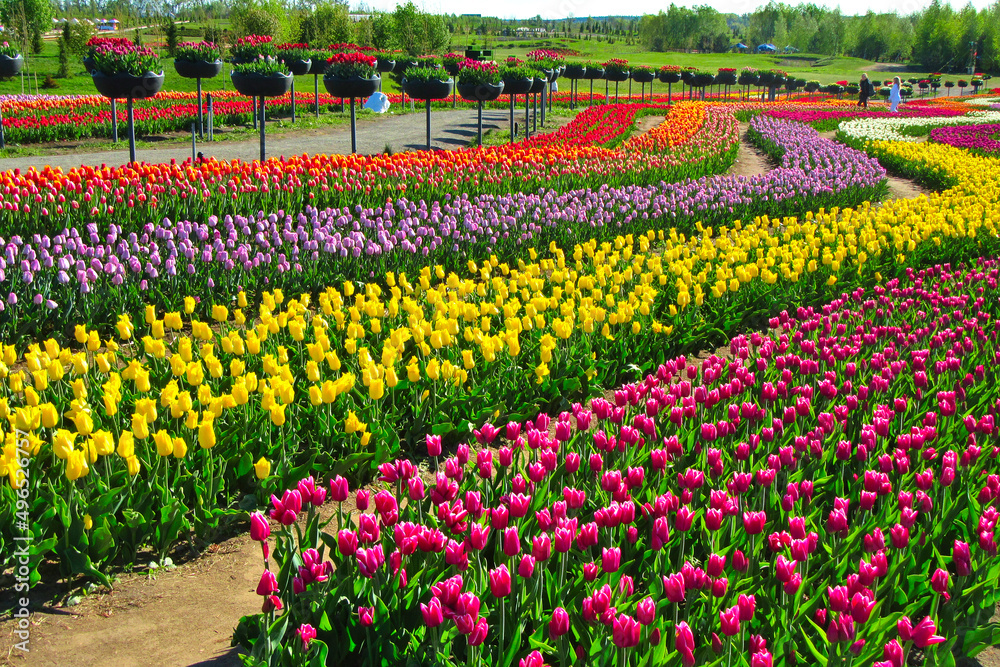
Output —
(938, 38)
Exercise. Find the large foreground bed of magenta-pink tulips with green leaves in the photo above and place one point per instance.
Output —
(824, 493)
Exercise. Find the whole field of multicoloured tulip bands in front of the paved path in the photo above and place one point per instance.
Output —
(458, 395)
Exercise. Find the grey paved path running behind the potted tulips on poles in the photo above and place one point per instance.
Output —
(449, 130)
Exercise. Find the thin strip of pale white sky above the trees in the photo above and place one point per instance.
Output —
(553, 9)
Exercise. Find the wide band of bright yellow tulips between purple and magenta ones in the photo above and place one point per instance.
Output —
(302, 382)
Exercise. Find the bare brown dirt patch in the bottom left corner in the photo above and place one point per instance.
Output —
(182, 617)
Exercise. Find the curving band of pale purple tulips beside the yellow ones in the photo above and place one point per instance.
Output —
(307, 248)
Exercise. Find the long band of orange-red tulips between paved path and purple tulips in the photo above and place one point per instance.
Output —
(134, 196)
